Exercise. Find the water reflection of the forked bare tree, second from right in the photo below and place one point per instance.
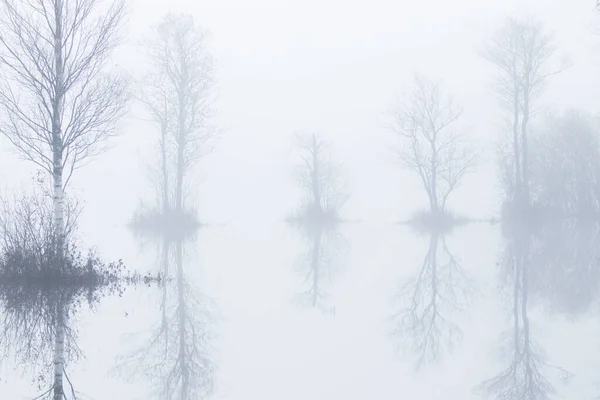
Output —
(423, 325)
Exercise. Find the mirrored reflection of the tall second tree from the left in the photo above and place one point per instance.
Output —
(175, 355)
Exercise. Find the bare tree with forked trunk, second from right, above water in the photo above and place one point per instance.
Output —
(435, 152)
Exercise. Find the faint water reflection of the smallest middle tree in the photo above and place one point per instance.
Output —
(317, 265)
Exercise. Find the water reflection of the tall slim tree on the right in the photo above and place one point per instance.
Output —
(524, 377)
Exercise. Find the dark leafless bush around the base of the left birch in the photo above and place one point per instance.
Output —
(32, 254)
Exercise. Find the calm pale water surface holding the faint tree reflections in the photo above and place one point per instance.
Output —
(367, 311)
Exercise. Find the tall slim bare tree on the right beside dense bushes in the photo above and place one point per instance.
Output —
(521, 51)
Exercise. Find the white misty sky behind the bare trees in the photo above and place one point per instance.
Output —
(334, 67)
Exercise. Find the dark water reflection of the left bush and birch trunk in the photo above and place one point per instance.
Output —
(37, 328)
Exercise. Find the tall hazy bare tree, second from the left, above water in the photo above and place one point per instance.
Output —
(177, 93)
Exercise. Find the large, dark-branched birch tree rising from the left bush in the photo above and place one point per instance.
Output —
(57, 104)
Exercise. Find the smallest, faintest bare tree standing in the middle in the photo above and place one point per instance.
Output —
(319, 177)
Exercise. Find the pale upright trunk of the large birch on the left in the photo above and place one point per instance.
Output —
(57, 110)
